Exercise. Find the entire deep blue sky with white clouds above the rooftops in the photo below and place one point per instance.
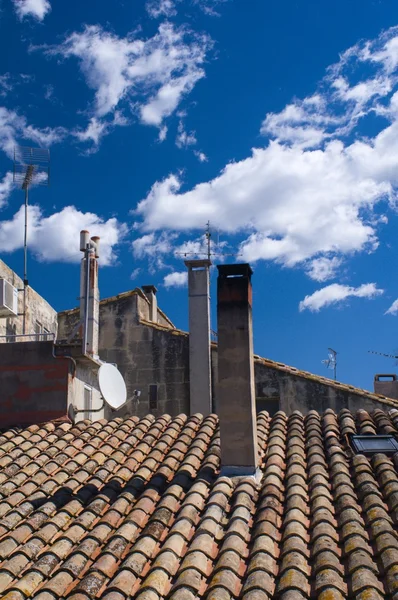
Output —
(276, 121)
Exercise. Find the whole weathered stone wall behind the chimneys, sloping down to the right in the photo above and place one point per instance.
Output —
(154, 360)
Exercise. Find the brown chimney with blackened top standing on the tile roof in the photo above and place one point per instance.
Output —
(236, 392)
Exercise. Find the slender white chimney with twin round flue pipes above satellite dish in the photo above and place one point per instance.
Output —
(89, 293)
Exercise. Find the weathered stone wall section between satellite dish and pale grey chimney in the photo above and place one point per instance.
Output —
(152, 359)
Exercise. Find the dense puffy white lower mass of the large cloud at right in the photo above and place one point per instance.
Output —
(296, 204)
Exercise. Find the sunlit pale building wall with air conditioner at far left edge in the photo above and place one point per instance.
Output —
(37, 309)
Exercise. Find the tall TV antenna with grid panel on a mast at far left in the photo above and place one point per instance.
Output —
(31, 167)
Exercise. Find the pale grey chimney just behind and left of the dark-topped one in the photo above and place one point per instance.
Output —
(199, 336)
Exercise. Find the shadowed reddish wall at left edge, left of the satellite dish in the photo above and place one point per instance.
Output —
(33, 384)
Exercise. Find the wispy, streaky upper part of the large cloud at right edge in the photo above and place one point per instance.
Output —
(338, 105)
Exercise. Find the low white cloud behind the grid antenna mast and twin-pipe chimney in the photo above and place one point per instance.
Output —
(53, 238)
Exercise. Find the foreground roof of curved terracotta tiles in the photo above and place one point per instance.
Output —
(130, 508)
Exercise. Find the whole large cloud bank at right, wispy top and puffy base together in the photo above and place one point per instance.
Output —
(309, 194)
